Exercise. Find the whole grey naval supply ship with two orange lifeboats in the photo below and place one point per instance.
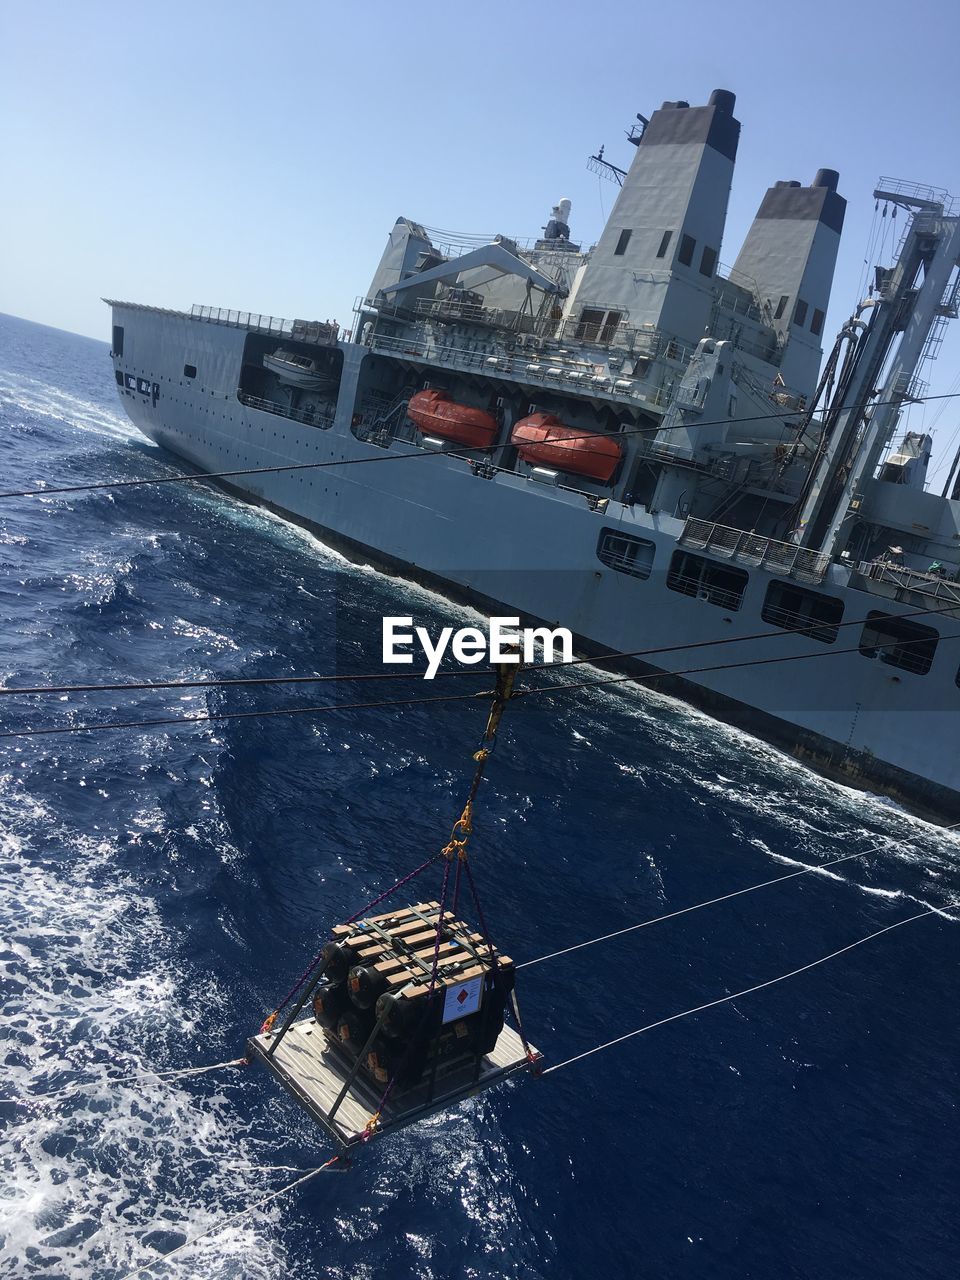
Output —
(632, 441)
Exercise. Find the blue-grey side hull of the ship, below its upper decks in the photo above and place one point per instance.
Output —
(513, 546)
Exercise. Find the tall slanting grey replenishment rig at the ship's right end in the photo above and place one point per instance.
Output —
(915, 295)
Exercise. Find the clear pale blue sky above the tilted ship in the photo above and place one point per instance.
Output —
(255, 156)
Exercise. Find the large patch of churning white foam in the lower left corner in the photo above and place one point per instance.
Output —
(95, 995)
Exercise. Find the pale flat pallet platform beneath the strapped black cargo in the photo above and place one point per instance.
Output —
(313, 1068)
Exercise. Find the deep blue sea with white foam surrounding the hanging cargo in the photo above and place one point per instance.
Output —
(162, 888)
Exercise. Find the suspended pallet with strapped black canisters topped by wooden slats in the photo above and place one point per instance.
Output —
(390, 1043)
